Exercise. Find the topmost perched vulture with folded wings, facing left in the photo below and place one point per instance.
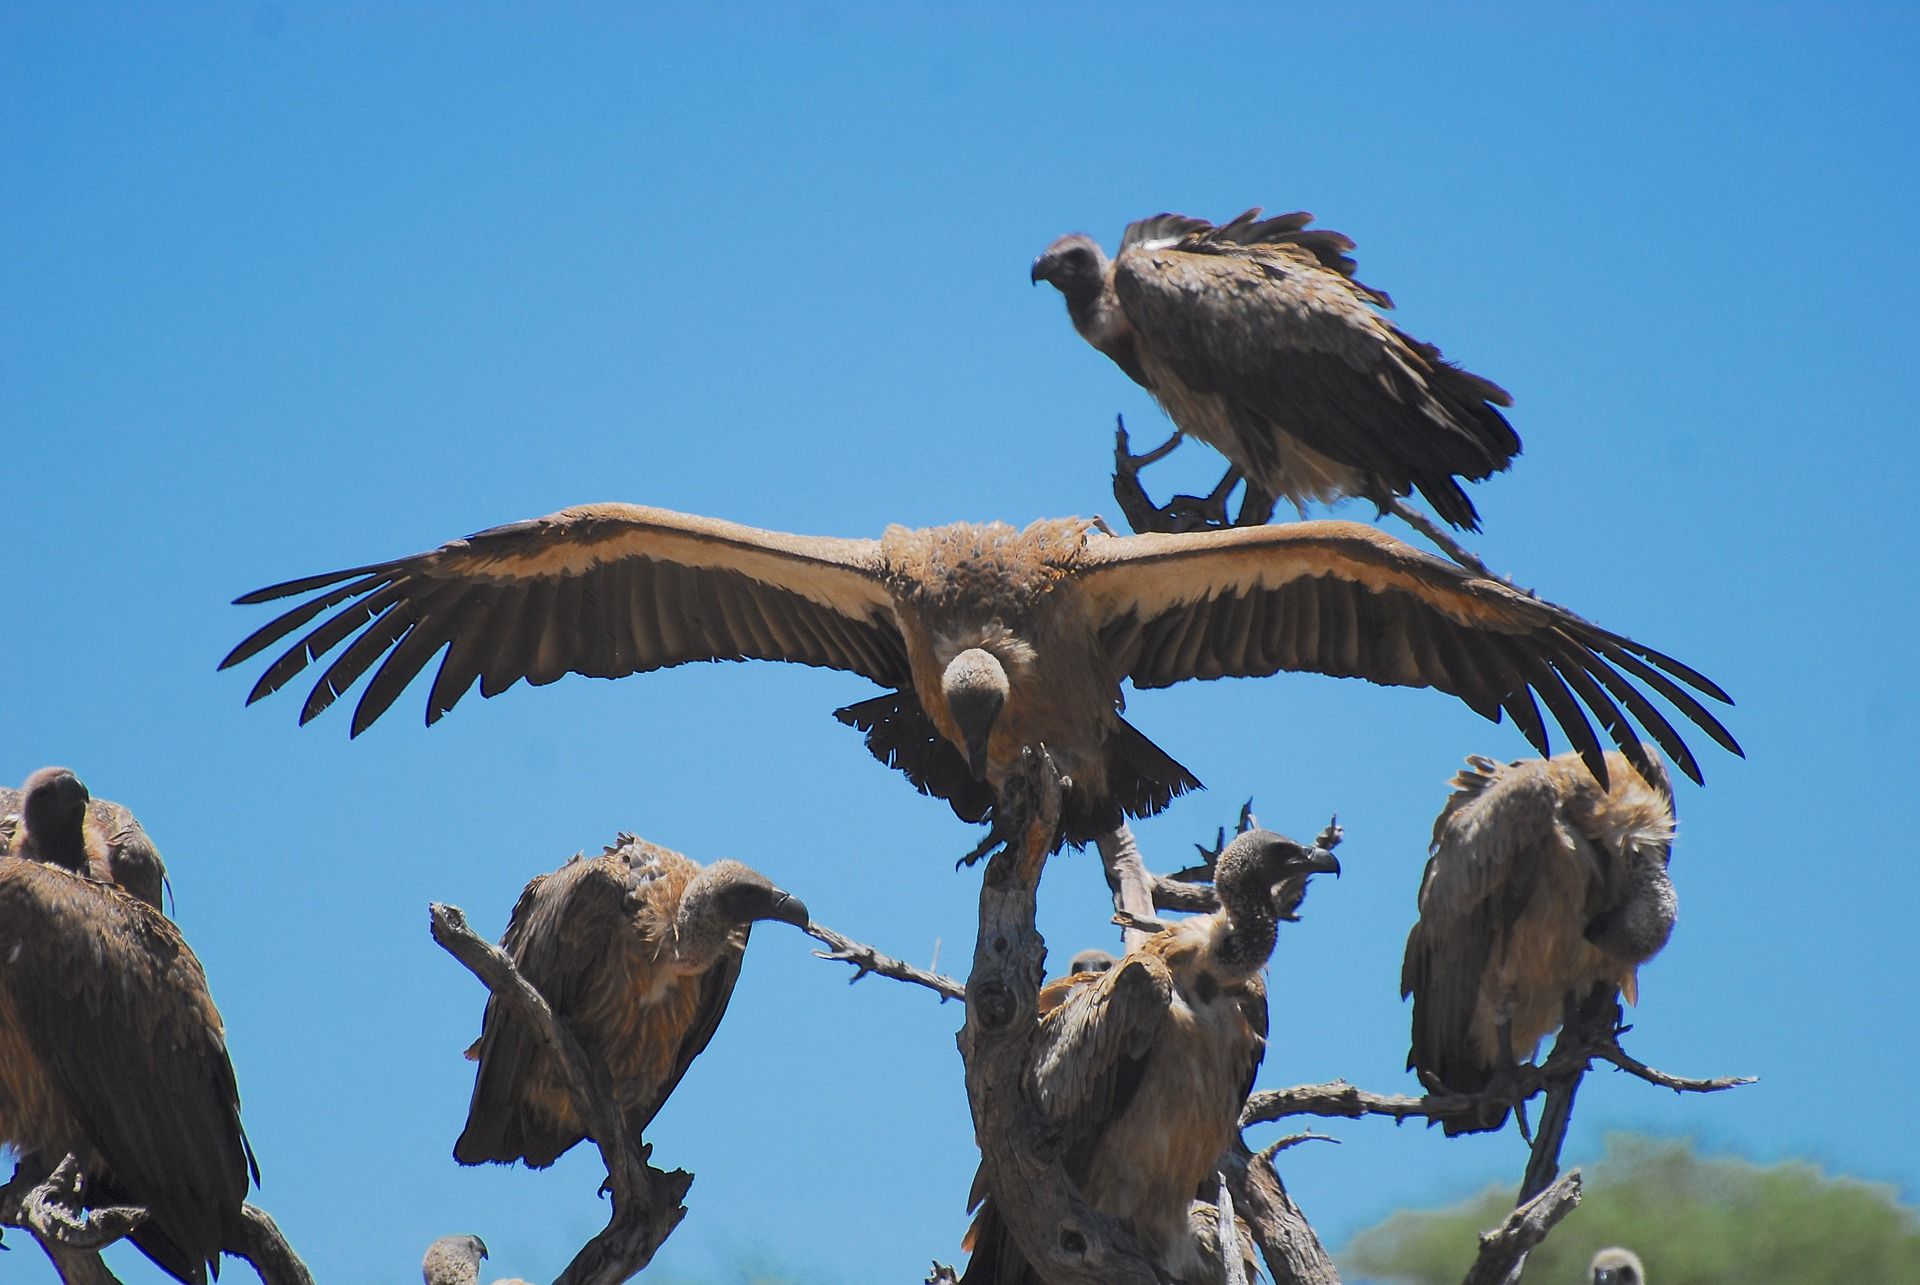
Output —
(1259, 341)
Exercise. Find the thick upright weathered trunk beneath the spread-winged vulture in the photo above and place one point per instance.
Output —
(1067, 1242)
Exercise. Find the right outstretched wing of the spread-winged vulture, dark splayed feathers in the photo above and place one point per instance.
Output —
(1347, 600)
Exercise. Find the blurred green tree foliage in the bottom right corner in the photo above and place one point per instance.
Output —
(1694, 1221)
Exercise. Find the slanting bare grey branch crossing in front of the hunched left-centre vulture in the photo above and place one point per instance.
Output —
(646, 1203)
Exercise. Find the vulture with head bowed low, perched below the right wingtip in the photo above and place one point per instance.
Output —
(1543, 886)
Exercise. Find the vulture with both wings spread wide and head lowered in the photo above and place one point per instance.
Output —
(988, 639)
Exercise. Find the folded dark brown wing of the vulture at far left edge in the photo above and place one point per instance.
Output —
(116, 1007)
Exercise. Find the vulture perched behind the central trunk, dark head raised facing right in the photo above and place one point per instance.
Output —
(1143, 1069)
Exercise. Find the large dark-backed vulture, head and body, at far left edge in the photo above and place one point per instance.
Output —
(110, 1046)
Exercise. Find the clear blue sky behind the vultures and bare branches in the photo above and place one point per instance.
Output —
(300, 287)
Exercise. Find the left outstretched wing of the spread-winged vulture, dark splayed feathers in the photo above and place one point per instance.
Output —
(600, 591)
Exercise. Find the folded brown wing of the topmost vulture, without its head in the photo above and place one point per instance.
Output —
(1270, 318)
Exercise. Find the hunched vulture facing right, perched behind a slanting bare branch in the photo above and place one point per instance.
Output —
(636, 950)
